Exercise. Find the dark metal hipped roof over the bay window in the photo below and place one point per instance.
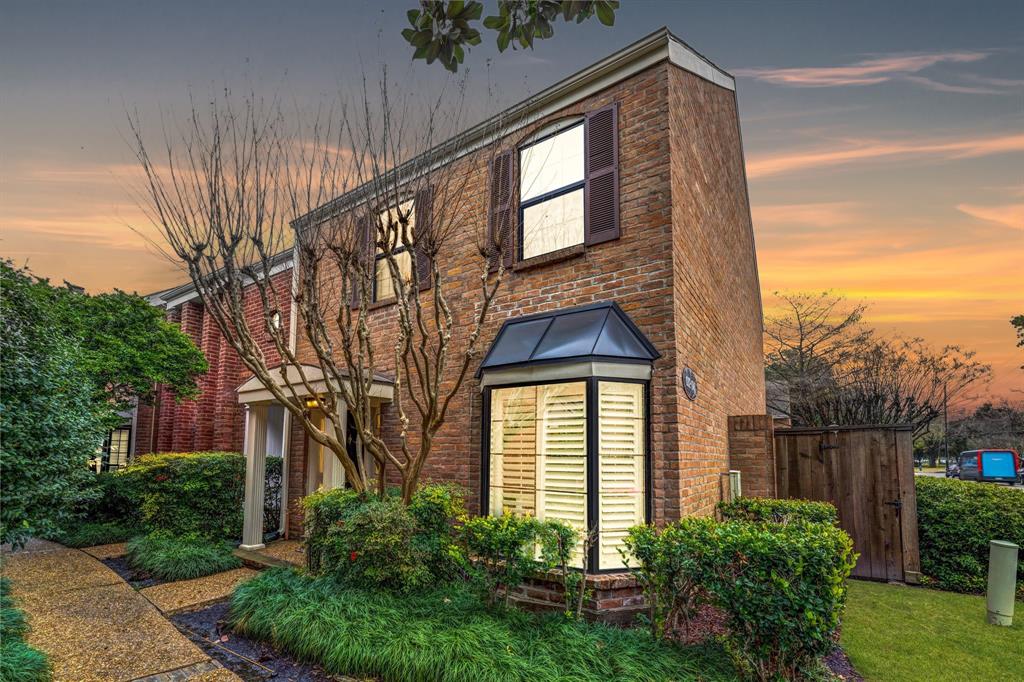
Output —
(598, 332)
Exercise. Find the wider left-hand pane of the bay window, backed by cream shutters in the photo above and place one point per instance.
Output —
(539, 453)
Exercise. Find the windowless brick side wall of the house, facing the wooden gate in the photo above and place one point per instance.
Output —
(717, 302)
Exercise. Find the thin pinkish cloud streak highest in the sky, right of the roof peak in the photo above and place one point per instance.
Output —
(867, 72)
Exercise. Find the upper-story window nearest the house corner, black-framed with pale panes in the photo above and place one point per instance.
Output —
(551, 193)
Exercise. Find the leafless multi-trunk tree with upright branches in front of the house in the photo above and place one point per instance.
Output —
(369, 201)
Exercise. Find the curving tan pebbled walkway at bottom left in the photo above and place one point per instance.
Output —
(94, 625)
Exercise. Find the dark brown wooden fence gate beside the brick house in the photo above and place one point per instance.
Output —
(868, 474)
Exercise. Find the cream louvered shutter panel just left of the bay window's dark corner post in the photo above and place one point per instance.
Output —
(563, 457)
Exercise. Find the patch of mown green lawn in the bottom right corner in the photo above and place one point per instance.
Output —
(904, 633)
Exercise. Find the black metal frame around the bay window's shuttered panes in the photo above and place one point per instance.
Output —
(593, 457)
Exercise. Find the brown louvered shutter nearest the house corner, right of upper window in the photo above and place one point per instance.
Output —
(602, 193)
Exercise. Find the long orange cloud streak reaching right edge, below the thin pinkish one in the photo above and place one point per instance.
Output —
(866, 151)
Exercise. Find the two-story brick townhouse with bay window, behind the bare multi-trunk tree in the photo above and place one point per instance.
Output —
(624, 376)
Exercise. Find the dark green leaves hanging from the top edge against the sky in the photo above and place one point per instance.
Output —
(444, 31)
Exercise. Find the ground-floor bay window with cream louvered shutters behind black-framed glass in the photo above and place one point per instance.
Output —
(572, 451)
